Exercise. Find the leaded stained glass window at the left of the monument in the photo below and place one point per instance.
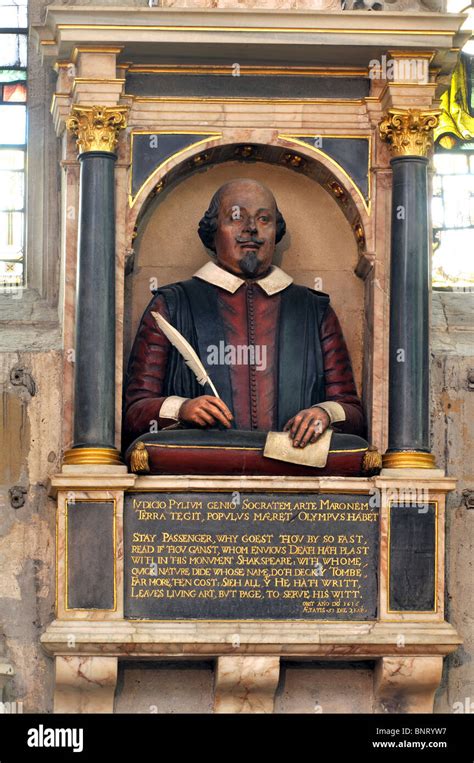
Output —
(13, 95)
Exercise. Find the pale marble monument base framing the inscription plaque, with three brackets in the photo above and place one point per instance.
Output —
(91, 635)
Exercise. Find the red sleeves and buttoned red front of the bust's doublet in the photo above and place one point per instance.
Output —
(250, 318)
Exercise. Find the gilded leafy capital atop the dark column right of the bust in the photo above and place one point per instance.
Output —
(409, 132)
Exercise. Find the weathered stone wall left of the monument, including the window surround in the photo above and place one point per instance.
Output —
(30, 421)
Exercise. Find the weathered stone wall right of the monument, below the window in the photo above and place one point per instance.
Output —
(452, 348)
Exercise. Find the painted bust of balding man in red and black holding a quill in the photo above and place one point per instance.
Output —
(296, 375)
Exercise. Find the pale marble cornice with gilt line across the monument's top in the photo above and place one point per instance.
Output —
(278, 33)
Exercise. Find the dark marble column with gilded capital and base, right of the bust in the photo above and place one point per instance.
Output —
(409, 135)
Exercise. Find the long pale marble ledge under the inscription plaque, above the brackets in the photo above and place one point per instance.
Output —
(174, 639)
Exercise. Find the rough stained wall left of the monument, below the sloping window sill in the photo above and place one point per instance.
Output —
(30, 453)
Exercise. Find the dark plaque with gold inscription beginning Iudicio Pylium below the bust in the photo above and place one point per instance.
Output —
(250, 556)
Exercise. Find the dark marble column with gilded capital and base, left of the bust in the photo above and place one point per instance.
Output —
(97, 130)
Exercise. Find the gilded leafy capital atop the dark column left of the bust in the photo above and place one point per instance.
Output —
(97, 127)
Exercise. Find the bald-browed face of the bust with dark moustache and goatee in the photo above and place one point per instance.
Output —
(246, 229)
